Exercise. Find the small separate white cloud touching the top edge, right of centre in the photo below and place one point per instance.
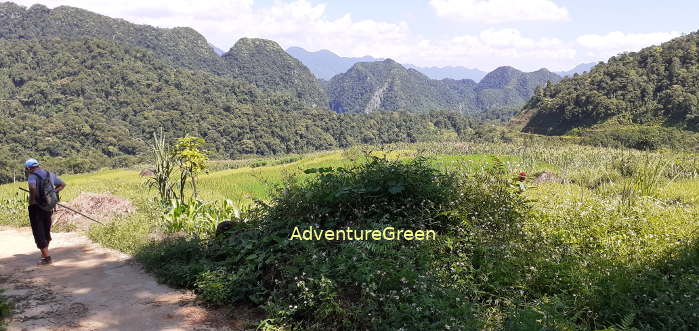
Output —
(500, 11)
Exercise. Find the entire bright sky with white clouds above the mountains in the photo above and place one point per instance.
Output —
(483, 34)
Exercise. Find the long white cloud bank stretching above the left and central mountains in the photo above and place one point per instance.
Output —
(302, 23)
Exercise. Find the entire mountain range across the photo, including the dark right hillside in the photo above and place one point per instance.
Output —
(105, 85)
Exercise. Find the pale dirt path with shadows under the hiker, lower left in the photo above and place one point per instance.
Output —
(89, 287)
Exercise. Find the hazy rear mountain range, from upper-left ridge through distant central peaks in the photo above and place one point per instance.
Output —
(361, 87)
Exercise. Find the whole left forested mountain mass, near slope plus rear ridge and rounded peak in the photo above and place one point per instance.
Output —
(92, 90)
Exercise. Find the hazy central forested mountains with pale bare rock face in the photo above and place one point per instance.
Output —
(386, 85)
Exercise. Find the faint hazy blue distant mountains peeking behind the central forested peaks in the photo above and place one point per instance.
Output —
(326, 64)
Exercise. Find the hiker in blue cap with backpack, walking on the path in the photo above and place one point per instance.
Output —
(43, 196)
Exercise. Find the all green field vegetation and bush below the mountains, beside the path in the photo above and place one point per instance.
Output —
(532, 234)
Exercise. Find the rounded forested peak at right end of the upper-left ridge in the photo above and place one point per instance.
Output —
(266, 65)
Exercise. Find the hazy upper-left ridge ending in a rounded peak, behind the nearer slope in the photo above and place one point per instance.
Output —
(260, 62)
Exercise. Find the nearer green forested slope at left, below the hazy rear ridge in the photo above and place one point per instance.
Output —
(90, 100)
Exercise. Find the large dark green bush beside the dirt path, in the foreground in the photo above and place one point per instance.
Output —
(360, 284)
